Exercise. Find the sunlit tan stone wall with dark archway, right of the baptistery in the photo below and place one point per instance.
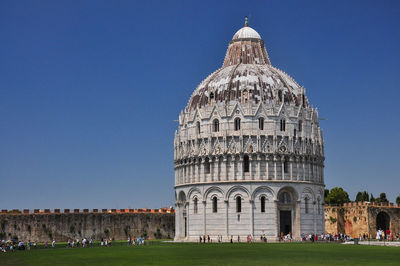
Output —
(358, 218)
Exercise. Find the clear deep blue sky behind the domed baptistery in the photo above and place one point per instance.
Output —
(89, 91)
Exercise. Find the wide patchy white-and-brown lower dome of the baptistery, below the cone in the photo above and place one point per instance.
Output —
(247, 83)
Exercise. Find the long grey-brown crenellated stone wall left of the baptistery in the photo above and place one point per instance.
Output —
(62, 226)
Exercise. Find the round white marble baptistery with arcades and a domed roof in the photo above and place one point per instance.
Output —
(249, 152)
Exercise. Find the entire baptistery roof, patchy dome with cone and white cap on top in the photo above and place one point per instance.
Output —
(247, 76)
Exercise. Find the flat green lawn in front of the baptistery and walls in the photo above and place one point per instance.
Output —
(157, 253)
